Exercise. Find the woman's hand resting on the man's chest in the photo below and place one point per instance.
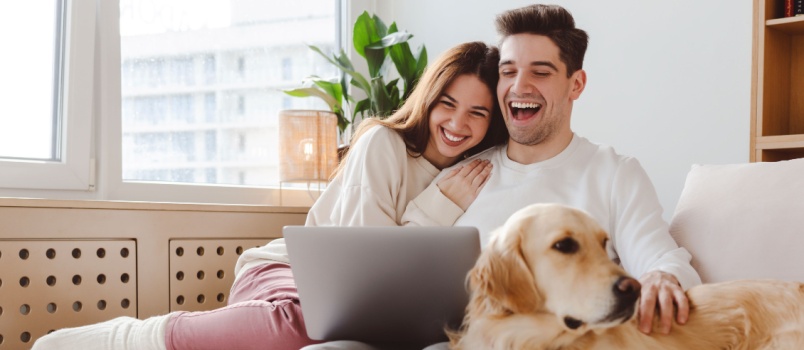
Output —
(463, 184)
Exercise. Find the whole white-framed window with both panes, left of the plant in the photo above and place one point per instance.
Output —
(177, 100)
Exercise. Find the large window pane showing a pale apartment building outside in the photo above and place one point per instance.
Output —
(202, 81)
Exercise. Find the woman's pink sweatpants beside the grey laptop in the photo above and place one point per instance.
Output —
(263, 313)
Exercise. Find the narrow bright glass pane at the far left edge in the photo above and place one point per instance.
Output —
(27, 127)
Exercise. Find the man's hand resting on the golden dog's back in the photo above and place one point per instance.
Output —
(661, 291)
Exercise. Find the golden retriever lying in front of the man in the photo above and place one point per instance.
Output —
(545, 282)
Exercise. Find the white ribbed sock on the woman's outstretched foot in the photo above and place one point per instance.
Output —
(122, 333)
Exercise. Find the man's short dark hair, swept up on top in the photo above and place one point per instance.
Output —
(552, 21)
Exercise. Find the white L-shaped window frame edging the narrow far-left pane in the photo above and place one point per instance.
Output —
(75, 170)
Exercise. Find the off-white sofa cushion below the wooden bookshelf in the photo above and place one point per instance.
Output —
(743, 221)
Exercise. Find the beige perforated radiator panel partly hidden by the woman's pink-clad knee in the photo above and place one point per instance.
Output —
(202, 271)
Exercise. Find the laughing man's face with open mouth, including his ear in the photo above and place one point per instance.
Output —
(534, 92)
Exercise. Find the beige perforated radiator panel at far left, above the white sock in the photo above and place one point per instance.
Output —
(47, 285)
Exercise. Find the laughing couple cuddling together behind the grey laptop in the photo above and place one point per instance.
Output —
(485, 133)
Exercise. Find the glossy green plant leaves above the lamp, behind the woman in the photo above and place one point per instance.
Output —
(376, 43)
